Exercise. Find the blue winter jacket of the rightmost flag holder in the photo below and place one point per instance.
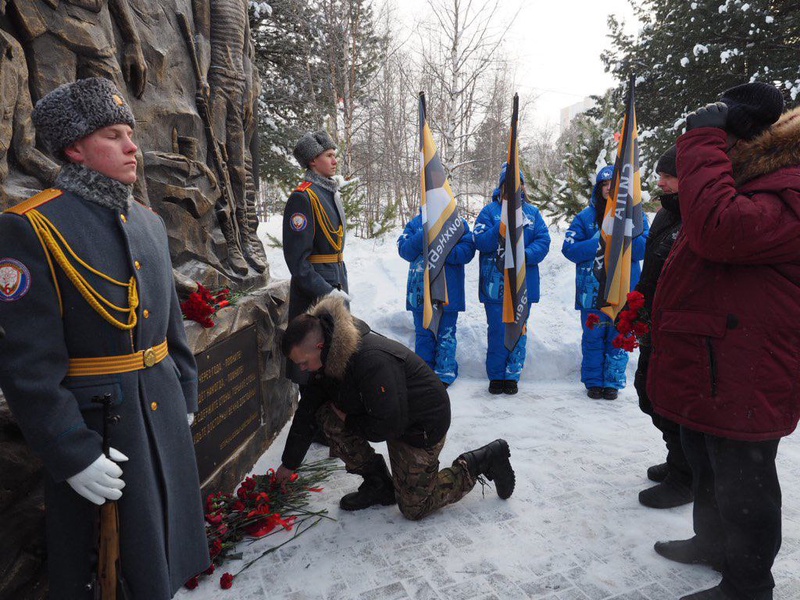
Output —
(580, 246)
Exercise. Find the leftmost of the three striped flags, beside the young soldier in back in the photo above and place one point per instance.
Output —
(442, 226)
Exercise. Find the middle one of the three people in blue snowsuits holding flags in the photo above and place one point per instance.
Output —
(503, 367)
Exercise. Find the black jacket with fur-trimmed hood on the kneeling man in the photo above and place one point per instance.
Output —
(387, 391)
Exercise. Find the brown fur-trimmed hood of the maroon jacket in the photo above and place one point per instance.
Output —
(776, 148)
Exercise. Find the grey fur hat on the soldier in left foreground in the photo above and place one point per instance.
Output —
(74, 110)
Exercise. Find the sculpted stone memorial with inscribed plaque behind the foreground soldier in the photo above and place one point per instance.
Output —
(187, 69)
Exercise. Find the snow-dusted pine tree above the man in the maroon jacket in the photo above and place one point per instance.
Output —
(686, 53)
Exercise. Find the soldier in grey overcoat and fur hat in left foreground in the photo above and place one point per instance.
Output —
(89, 308)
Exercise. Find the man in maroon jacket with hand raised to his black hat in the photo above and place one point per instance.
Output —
(725, 331)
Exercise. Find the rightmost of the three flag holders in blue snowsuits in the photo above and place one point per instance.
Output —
(602, 365)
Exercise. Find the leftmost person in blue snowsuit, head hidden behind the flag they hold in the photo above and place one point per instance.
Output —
(439, 351)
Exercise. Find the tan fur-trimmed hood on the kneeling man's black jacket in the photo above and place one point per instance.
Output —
(345, 334)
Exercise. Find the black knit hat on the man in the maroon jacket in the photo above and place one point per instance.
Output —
(752, 108)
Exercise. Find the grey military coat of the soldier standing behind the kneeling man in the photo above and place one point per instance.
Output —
(304, 237)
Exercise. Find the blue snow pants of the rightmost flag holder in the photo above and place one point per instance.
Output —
(602, 365)
